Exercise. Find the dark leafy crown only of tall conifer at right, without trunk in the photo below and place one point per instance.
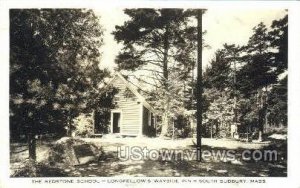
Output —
(258, 71)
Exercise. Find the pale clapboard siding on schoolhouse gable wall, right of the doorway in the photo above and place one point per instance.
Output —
(127, 102)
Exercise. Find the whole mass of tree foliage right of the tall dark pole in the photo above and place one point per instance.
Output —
(248, 80)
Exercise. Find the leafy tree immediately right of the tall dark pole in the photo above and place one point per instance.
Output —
(220, 90)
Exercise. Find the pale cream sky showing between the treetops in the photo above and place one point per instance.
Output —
(232, 26)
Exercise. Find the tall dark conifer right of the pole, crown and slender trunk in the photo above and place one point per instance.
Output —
(258, 73)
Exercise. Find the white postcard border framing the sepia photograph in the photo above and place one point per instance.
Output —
(293, 179)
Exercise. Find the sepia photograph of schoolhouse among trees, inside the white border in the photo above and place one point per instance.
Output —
(148, 92)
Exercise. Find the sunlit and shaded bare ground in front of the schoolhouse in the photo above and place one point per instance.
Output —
(110, 165)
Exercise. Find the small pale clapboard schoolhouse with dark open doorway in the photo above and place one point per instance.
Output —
(132, 116)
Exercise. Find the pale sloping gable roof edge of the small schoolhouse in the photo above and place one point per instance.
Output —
(134, 91)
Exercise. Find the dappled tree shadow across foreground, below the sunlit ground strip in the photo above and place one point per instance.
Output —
(110, 165)
